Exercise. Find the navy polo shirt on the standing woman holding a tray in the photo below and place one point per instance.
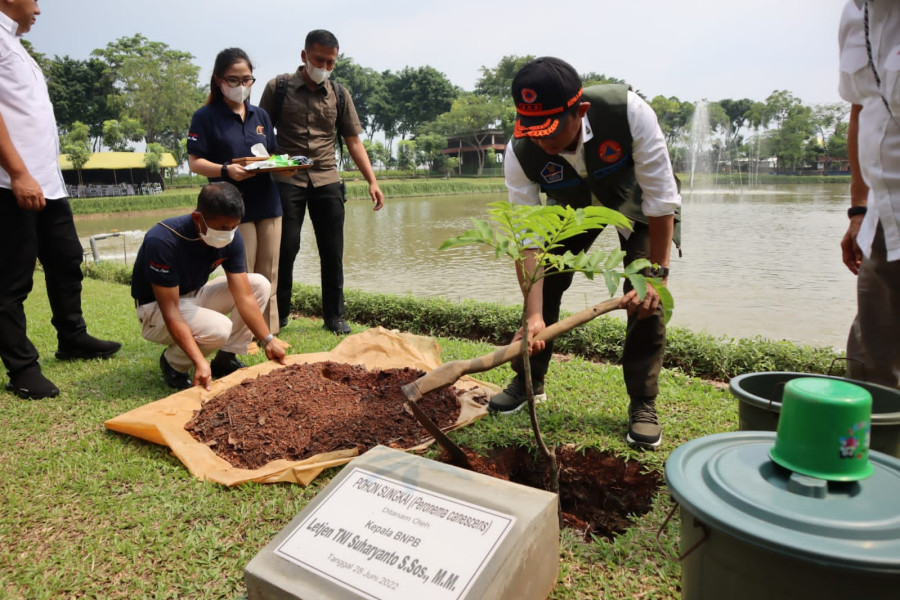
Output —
(218, 135)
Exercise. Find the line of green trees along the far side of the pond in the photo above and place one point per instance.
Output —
(137, 90)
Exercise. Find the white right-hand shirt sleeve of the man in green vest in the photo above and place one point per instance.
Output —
(652, 166)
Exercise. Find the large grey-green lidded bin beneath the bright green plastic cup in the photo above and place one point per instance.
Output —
(751, 529)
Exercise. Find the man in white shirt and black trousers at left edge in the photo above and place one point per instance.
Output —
(35, 216)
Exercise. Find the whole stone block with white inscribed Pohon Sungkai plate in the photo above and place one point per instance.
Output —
(393, 526)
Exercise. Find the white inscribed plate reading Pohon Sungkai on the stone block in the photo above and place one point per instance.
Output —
(384, 538)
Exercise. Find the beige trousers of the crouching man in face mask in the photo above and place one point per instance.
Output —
(205, 312)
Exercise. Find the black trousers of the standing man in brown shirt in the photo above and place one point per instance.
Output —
(326, 211)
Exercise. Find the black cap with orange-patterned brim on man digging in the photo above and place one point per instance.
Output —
(544, 91)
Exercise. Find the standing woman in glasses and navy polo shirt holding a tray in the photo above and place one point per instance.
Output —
(227, 128)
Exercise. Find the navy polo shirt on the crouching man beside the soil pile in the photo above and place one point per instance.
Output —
(173, 254)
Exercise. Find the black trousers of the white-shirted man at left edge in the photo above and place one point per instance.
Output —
(26, 236)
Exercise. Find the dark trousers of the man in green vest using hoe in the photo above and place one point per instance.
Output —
(645, 339)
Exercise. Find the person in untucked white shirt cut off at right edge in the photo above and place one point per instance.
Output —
(869, 42)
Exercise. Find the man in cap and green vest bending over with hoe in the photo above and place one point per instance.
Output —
(603, 146)
